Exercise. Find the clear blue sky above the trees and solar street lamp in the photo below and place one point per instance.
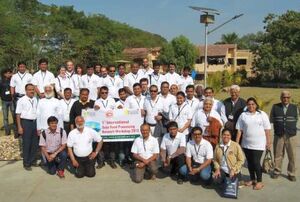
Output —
(171, 18)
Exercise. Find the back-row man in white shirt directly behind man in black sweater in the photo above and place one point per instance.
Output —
(92, 82)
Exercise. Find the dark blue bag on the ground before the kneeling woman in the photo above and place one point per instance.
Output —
(231, 187)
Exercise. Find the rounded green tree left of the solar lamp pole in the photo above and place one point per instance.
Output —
(180, 51)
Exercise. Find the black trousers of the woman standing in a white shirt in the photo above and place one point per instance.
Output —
(253, 159)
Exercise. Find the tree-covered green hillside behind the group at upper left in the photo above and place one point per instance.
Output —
(30, 30)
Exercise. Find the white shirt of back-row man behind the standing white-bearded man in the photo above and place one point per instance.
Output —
(41, 79)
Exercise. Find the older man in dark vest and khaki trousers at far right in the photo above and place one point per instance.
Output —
(284, 117)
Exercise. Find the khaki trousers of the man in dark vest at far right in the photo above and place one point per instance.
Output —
(282, 144)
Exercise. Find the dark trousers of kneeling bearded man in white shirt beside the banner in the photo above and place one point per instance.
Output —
(86, 167)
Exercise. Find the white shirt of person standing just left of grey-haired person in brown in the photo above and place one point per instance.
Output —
(181, 114)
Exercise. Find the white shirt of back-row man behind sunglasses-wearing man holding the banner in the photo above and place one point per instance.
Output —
(113, 84)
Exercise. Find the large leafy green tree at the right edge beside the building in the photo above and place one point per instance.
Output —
(279, 53)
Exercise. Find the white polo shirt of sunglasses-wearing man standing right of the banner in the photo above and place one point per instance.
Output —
(152, 108)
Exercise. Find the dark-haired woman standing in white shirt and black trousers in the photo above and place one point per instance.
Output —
(254, 126)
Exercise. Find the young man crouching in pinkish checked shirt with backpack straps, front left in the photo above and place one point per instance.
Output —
(53, 142)
